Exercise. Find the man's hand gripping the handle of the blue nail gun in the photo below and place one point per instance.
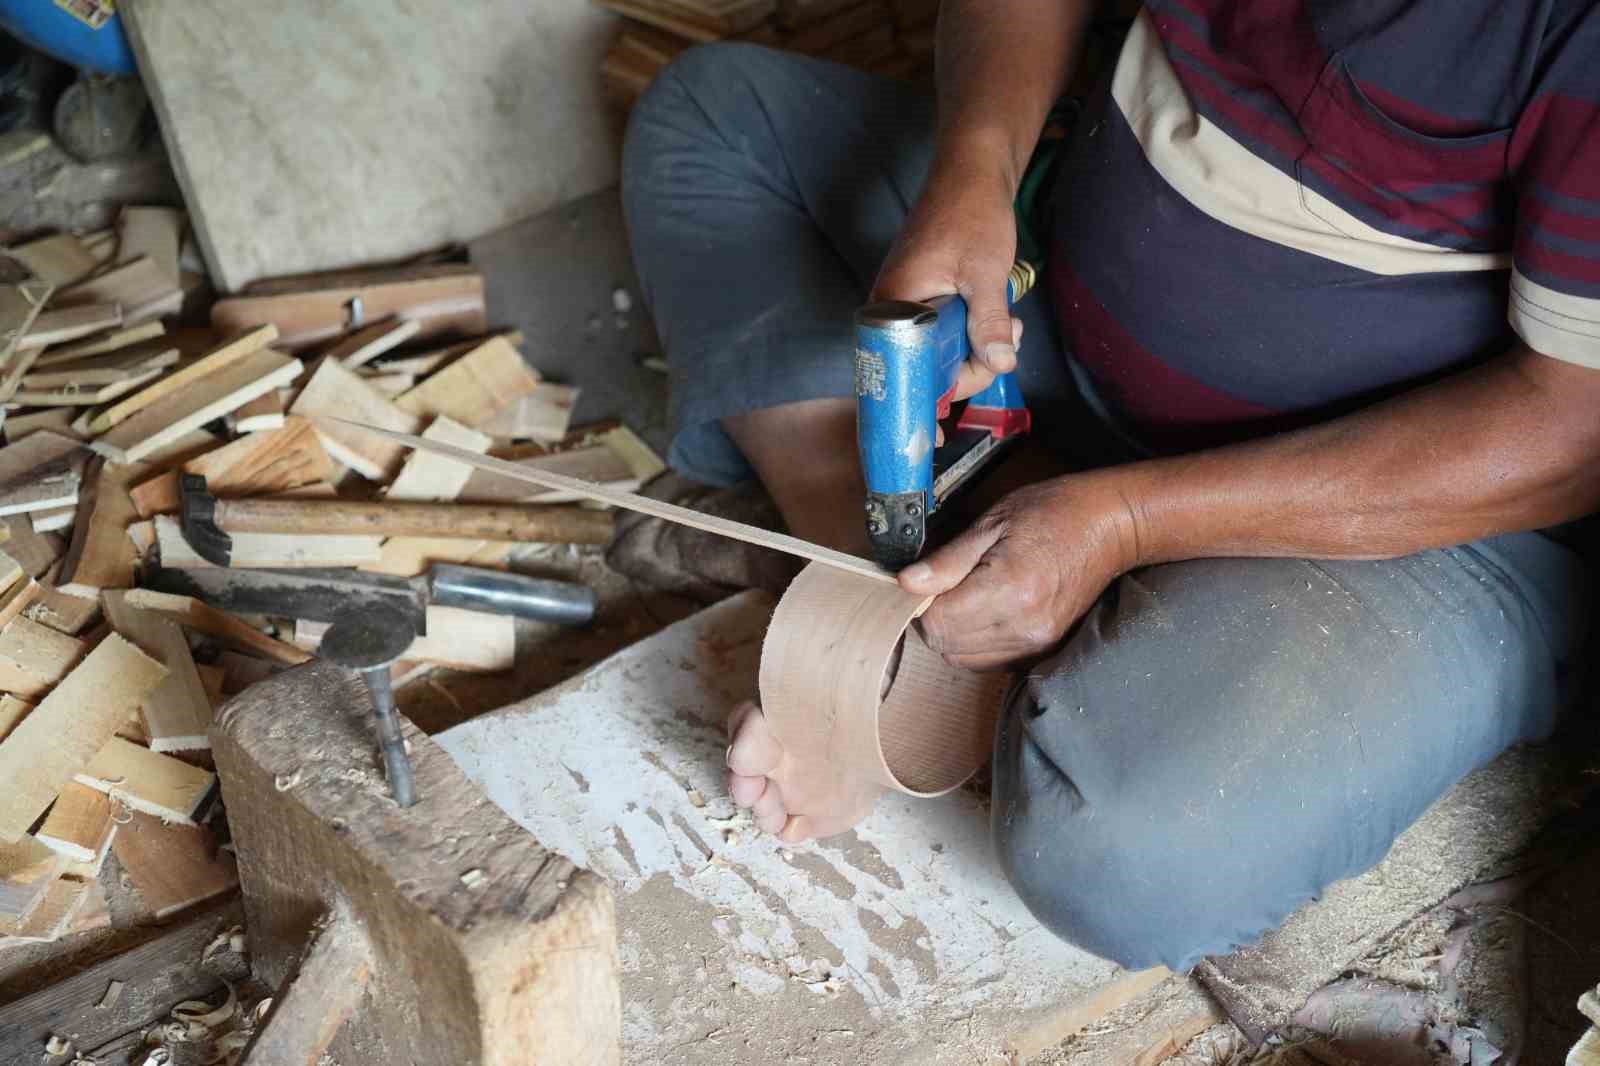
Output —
(961, 238)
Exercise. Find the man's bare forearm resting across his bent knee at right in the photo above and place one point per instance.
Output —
(1510, 446)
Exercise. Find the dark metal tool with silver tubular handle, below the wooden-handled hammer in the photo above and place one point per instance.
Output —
(321, 595)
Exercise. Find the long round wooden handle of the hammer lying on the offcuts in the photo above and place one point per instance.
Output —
(478, 523)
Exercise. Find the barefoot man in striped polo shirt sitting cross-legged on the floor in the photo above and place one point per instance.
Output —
(1332, 270)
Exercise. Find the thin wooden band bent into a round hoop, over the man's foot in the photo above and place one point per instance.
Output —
(833, 689)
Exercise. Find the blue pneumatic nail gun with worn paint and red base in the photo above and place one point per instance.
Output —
(908, 361)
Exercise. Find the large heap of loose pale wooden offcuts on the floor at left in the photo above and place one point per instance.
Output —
(108, 689)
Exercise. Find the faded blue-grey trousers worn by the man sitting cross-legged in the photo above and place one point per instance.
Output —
(1220, 739)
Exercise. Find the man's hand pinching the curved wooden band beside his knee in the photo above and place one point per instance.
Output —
(1012, 585)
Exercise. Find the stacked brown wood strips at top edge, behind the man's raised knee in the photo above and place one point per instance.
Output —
(889, 38)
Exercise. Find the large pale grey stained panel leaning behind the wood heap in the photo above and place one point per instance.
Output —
(447, 122)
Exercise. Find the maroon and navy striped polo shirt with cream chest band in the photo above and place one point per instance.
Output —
(1278, 210)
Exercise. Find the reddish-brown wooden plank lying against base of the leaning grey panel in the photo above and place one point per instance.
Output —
(446, 300)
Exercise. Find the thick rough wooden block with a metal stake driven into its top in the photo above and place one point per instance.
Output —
(487, 948)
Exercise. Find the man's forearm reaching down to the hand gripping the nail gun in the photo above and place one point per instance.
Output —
(1001, 66)
